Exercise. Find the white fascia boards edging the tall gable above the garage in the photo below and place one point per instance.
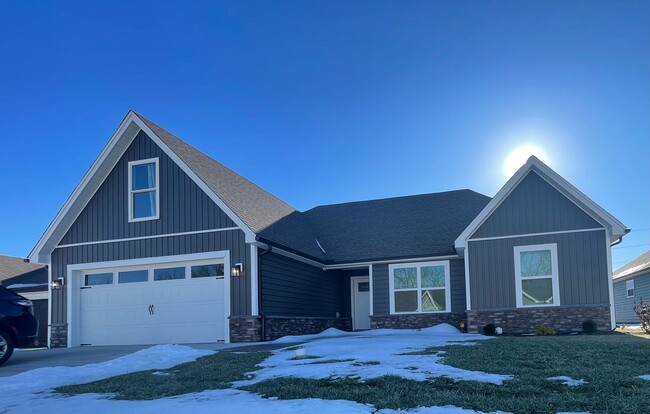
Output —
(44, 247)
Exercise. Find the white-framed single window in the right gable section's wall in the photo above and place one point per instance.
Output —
(536, 275)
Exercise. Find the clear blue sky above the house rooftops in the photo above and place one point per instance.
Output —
(331, 101)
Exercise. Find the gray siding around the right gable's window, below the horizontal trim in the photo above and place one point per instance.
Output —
(582, 267)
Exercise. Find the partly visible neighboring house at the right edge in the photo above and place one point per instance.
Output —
(631, 282)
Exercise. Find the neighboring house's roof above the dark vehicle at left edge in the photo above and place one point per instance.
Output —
(19, 275)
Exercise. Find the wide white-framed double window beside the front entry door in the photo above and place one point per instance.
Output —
(419, 287)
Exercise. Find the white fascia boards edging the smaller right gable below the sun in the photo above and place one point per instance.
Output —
(614, 227)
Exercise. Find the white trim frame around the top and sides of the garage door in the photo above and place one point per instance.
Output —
(73, 284)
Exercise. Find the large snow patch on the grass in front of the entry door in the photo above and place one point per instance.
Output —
(371, 354)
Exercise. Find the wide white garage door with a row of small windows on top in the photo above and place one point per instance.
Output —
(154, 304)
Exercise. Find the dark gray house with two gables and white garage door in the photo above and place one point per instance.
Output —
(161, 243)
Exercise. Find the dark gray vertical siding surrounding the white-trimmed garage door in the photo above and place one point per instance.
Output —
(232, 240)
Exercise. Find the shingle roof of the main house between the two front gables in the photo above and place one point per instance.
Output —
(412, 226)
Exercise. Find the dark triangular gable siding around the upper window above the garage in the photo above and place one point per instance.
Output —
(183, 205)
